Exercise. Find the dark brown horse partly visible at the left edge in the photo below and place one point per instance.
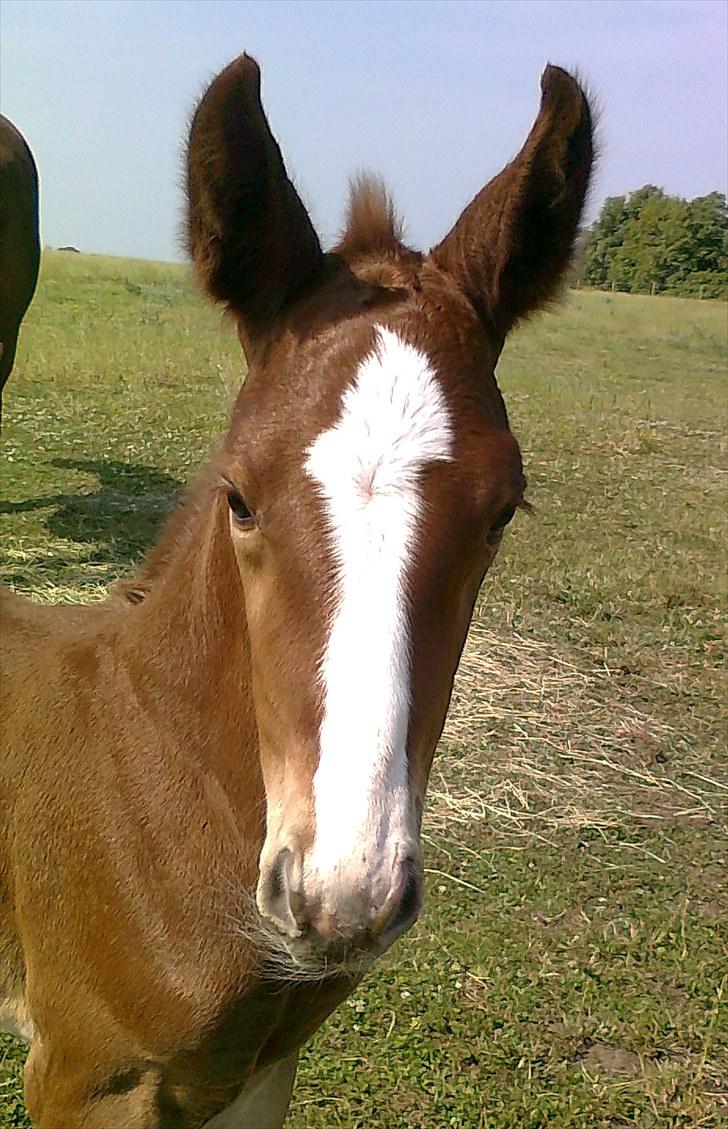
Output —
(20, 240)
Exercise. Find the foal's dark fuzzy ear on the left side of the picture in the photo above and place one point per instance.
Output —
(249, 234)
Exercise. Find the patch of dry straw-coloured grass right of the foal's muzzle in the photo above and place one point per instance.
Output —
(534, 746)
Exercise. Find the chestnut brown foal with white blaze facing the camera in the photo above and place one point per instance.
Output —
(212, 797)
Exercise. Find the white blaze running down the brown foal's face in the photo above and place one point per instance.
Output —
(394, 422)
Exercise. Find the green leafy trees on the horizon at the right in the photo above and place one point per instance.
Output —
(651, 243)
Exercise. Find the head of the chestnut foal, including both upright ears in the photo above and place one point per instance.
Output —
(370, 472)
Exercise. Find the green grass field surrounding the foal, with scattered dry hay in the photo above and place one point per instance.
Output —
(571, 967)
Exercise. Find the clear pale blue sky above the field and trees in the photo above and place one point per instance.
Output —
(436, 97)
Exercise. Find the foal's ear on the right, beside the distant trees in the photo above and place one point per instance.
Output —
(512, 247)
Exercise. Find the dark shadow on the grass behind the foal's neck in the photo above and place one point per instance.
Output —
(120, 520)
